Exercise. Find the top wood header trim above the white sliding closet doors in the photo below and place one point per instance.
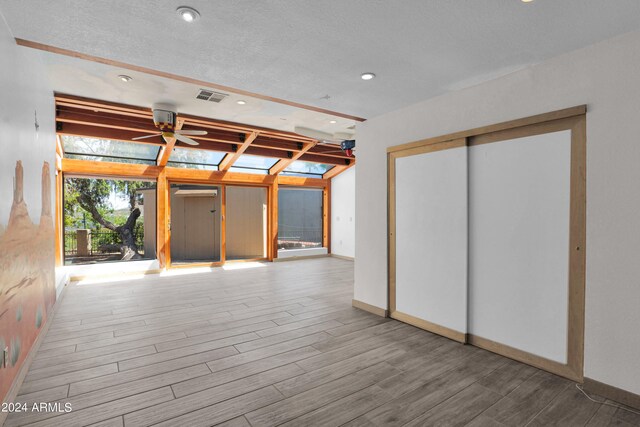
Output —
(545, 117)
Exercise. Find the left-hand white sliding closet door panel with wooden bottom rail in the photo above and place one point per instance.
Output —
(431, 241)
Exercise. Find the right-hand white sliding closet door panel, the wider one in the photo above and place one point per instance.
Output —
(519, 213)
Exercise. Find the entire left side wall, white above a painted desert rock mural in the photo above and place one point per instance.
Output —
(27, 169)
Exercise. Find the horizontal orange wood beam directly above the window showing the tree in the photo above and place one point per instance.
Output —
(109, 169)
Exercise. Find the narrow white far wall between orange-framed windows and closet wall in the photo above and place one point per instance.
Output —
(343, 213)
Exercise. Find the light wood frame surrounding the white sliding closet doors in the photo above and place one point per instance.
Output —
(573, 119)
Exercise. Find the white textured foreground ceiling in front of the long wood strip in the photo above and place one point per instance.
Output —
(302, 51)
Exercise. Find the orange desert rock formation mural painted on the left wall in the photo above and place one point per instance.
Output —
(27, 282)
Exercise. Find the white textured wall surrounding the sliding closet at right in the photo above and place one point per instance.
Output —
(603, 76)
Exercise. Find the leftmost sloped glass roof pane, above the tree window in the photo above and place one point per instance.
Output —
(108, 150)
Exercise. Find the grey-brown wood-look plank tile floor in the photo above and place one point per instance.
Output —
(272, 345)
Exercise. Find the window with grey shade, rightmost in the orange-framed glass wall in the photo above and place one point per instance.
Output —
(299, 218)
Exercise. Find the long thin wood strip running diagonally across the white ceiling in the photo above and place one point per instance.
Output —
(119, 64)
